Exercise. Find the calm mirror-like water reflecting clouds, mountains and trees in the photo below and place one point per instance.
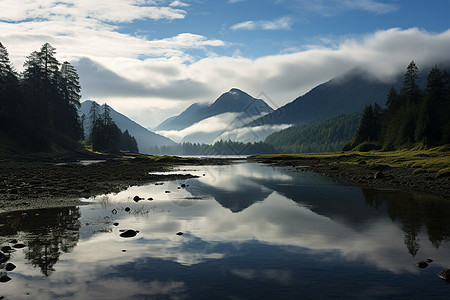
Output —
(250, 232)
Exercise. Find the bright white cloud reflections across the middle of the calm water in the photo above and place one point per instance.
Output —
(276, 221)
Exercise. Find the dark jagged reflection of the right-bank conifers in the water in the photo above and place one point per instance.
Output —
(414, 211)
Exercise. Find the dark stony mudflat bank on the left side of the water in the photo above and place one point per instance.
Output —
(32, 183)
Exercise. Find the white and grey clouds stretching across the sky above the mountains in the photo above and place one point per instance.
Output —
(160, 75)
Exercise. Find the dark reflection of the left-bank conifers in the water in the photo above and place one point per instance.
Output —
(47, 233)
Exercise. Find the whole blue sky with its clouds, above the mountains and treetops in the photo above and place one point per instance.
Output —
(150, 59)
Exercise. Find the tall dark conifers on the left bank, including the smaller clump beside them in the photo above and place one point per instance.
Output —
(39, 108)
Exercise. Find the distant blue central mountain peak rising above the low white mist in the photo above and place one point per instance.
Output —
(234, 101)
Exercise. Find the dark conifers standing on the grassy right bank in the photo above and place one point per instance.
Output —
(412, 116)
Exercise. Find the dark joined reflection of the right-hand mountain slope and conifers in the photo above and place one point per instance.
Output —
(346, 205)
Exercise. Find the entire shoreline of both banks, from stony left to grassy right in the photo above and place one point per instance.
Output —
(27, 185)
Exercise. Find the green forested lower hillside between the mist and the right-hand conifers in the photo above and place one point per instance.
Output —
(325, 136)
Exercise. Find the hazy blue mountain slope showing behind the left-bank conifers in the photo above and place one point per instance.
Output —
(145, 138)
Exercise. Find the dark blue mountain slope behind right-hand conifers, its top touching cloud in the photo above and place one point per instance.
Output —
(344, 94)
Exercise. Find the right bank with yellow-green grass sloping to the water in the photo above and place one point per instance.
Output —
(424, 171)
